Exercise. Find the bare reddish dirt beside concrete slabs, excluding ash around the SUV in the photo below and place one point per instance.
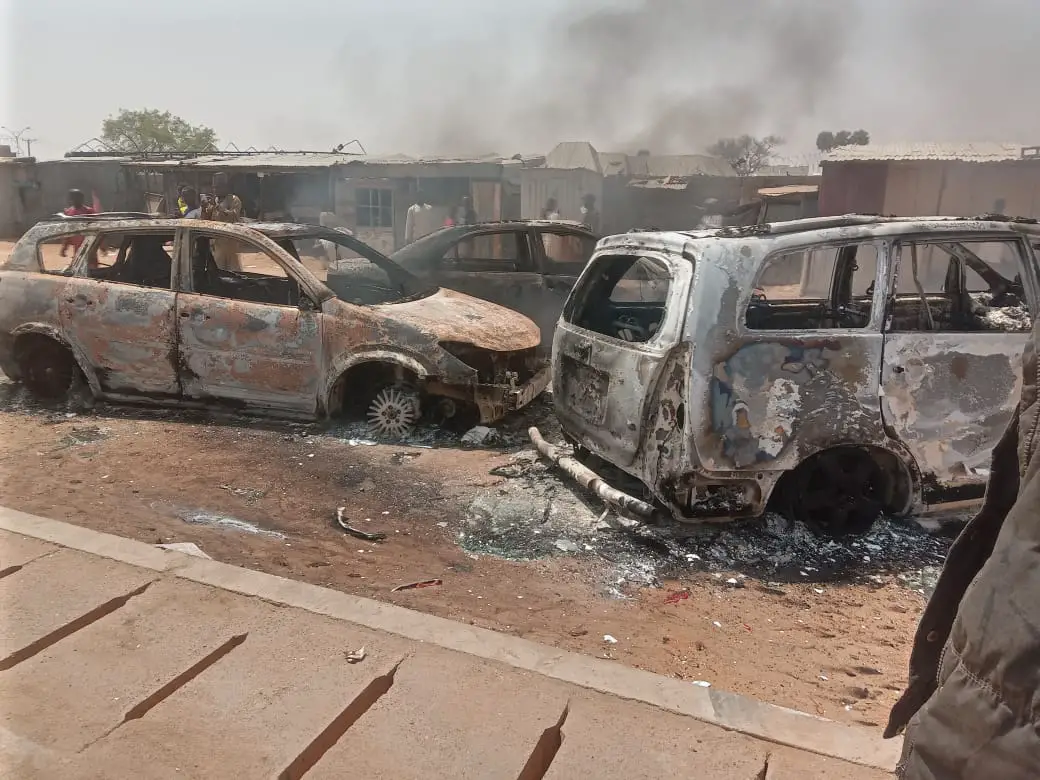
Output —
(779, 648)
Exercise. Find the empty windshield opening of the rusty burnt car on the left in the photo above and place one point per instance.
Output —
(356, 273)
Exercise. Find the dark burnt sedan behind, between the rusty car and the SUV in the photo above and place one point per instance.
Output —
(527, 266)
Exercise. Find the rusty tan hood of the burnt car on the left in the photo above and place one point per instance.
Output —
(453, 317)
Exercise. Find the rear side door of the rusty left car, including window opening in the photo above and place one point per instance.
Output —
(119, 311)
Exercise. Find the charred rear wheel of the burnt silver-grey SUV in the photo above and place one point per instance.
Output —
(839, 492)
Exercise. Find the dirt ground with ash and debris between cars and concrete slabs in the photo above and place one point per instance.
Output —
(833, 640)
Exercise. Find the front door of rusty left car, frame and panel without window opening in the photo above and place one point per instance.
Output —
(244, 354)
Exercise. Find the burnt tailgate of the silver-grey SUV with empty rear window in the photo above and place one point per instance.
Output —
(626, 318)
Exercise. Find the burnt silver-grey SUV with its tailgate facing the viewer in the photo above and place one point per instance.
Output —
(838, 368)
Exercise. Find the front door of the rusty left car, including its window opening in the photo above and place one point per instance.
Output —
(251, 337)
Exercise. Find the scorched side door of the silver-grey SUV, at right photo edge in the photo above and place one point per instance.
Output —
(954, 336)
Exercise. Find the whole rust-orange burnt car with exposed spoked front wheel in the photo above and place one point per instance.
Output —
(141, 311)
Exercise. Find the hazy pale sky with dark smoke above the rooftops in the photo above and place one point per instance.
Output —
(518, 76)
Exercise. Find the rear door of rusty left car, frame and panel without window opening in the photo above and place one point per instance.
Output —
(99, 319)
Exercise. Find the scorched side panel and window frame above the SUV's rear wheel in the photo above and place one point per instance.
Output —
(775, 397)
